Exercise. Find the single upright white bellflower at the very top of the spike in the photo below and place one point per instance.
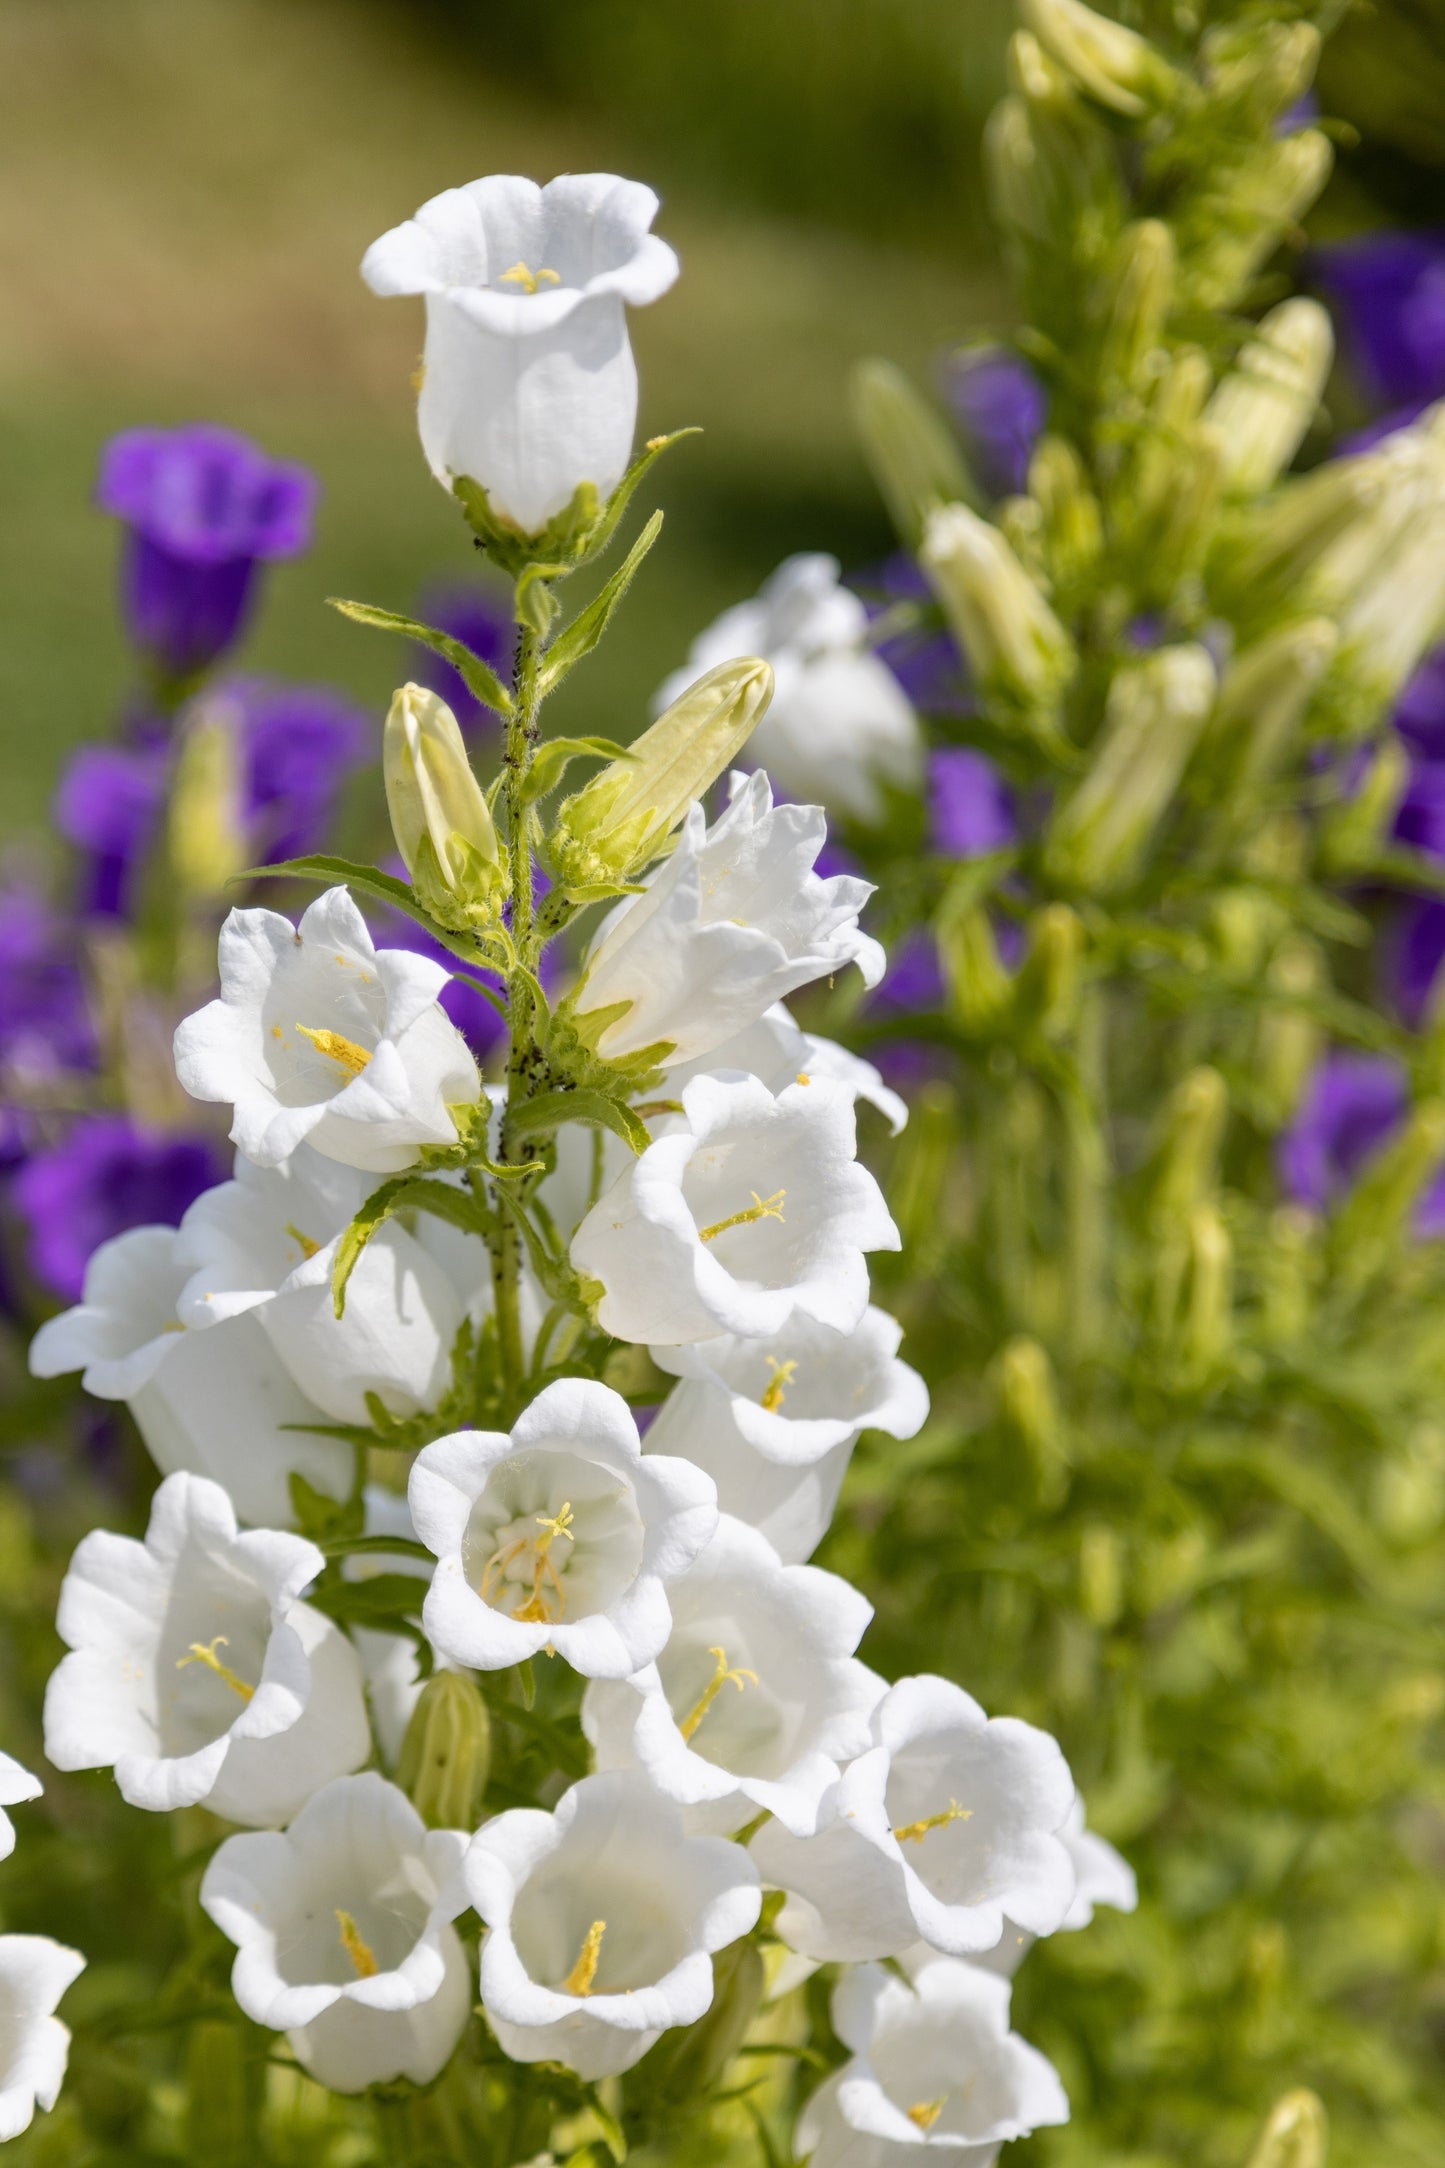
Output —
(530, 383)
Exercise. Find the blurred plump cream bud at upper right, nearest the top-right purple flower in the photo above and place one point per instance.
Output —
(1273, 393)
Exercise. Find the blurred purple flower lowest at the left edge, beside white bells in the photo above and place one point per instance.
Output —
(107, 1176)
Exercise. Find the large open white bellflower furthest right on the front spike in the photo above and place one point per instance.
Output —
(946, 1829)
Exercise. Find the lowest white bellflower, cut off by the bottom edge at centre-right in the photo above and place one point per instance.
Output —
(935, 2067)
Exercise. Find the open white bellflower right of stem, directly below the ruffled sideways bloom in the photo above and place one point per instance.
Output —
(748, 1213)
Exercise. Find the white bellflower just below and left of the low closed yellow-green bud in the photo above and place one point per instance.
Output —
(343, 1935)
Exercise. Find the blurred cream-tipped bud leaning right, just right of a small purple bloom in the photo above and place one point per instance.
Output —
(1154, 721)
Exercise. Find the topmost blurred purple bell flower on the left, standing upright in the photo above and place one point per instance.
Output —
(203, 508)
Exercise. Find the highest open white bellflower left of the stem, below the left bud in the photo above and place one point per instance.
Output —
(320, 1037)
